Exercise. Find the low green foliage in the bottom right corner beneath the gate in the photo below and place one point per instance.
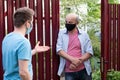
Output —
(113, 75)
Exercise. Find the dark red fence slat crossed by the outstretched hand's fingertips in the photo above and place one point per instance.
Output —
(47, 39)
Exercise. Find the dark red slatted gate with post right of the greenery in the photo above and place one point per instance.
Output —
(110, 45)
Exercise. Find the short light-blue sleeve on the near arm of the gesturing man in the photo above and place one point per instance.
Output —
(24, 51)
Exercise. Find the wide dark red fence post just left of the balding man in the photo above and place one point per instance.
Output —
(55, 29)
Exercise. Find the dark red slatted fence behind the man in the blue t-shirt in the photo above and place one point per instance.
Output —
(46, 26)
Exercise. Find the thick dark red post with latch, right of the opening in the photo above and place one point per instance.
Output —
(104, 38)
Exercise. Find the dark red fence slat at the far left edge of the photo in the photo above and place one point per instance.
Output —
(2, 34)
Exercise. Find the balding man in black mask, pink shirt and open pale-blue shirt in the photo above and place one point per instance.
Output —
(74, 48)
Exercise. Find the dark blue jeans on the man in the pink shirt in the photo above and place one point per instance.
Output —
(80, 75)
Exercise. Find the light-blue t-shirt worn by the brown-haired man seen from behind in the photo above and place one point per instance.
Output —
(15, 47)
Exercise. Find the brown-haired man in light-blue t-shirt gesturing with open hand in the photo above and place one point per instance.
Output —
(16, 48)
